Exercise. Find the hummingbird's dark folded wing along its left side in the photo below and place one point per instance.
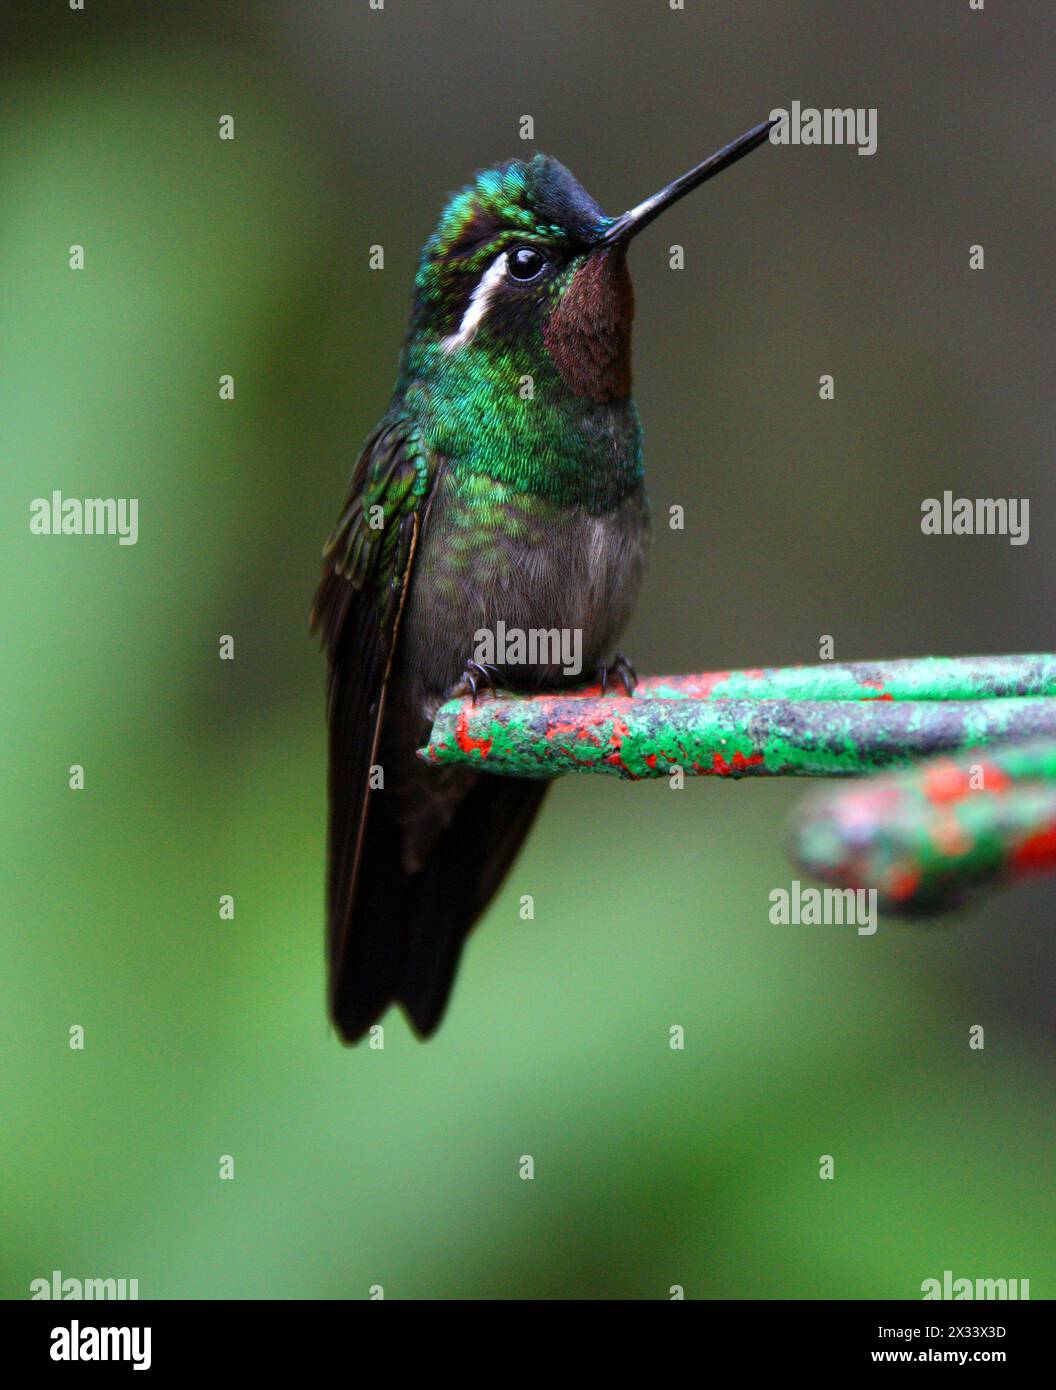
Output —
(368, 568)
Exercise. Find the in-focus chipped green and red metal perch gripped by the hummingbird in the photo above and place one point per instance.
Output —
(832, 721)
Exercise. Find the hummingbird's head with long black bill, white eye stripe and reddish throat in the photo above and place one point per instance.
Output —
(525, 268)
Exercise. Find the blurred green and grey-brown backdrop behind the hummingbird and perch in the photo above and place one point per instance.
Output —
(206, 778)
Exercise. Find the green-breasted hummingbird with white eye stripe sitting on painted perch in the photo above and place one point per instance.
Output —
(502, 486)
